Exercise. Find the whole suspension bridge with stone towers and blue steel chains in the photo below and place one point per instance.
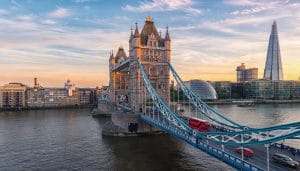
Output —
(139, 83)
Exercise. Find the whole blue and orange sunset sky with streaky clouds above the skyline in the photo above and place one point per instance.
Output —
(56, 40)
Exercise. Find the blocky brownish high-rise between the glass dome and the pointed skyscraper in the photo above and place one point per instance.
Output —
(244, 74)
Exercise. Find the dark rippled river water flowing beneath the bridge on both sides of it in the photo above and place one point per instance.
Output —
(70, 139)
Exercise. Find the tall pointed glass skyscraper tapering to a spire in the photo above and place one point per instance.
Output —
(273, 68)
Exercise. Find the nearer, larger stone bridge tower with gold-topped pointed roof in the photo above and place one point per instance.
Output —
(153, 51)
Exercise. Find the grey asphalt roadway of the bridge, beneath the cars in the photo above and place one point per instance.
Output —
(260, 155)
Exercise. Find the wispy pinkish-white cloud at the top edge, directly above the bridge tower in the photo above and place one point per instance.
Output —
(164, 5)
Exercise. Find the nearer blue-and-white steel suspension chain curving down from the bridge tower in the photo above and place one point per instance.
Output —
(254, 136)
